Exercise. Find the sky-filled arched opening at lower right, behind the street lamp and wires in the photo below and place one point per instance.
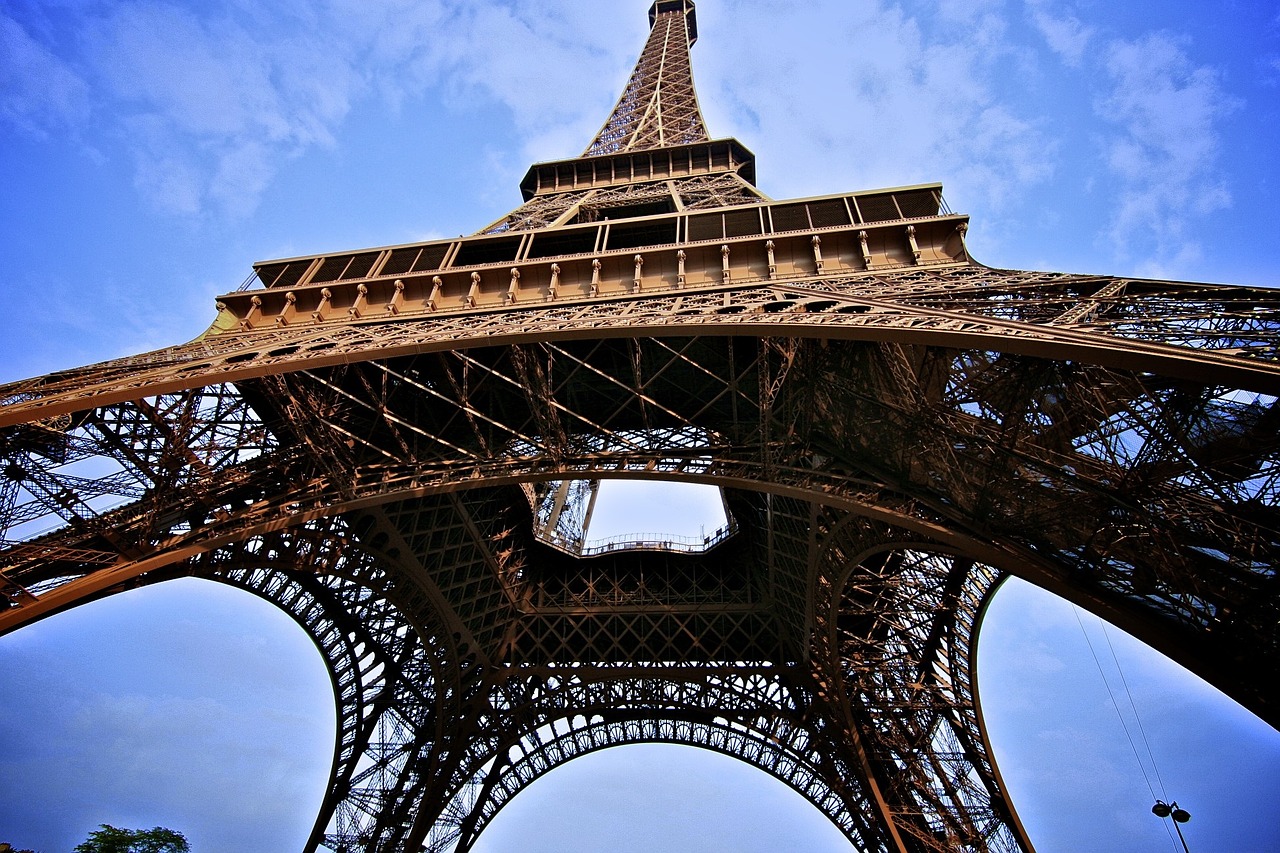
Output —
(1068, 761)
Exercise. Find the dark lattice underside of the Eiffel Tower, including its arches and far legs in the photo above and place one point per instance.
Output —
(881, 489)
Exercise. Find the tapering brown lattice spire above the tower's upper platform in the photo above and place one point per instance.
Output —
(660, 106)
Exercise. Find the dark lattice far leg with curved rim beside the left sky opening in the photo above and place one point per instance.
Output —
(388, 665)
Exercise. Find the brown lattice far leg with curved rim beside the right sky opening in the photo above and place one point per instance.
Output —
(909, 686)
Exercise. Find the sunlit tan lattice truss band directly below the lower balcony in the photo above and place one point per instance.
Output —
(1173, 327)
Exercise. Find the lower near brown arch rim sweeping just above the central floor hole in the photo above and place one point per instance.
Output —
(1167, 628)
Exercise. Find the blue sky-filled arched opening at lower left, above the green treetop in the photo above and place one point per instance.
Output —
(189, 705)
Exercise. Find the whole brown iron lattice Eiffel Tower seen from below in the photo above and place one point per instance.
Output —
(400, 449)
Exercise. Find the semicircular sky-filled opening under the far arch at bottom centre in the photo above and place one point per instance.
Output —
(660, 797)
